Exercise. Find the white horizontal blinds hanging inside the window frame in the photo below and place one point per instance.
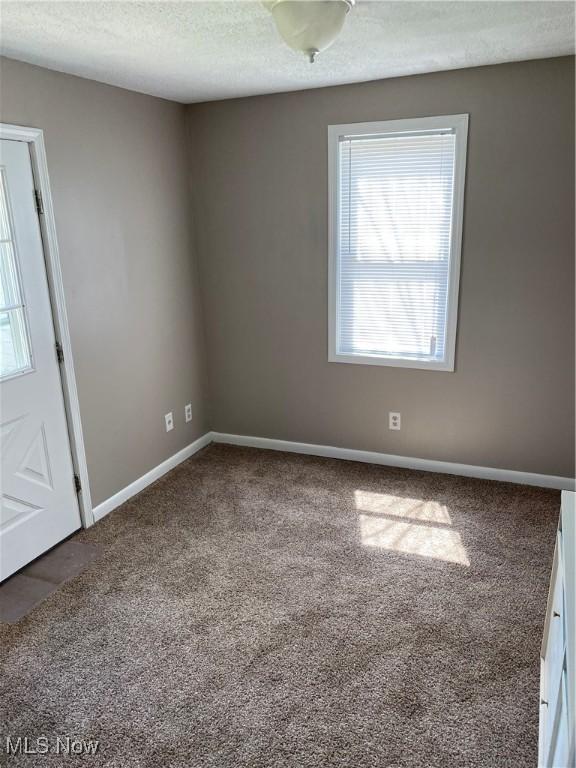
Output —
(394, 236)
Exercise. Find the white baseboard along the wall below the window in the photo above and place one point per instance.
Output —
(406, 462)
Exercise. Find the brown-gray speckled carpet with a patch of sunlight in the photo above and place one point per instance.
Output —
(268, 610)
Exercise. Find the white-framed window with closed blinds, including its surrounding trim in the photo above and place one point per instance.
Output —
(396, 202)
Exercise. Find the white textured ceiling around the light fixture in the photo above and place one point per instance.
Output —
(199, 51)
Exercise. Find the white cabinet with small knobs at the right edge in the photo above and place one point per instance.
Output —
(557, 738)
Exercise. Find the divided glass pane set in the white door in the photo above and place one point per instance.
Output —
(15, 354)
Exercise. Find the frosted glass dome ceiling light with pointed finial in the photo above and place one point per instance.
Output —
(309, 26)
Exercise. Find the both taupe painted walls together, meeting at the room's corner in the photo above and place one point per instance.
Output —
(118, 165)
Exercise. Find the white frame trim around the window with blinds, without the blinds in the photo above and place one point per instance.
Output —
(457, 123)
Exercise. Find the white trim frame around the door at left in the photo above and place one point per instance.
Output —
(34, 137)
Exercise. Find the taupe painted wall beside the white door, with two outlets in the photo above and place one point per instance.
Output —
(118, 170)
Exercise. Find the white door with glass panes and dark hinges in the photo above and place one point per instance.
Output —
(39, 504)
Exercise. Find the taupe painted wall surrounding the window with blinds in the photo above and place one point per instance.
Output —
(259, 169)
